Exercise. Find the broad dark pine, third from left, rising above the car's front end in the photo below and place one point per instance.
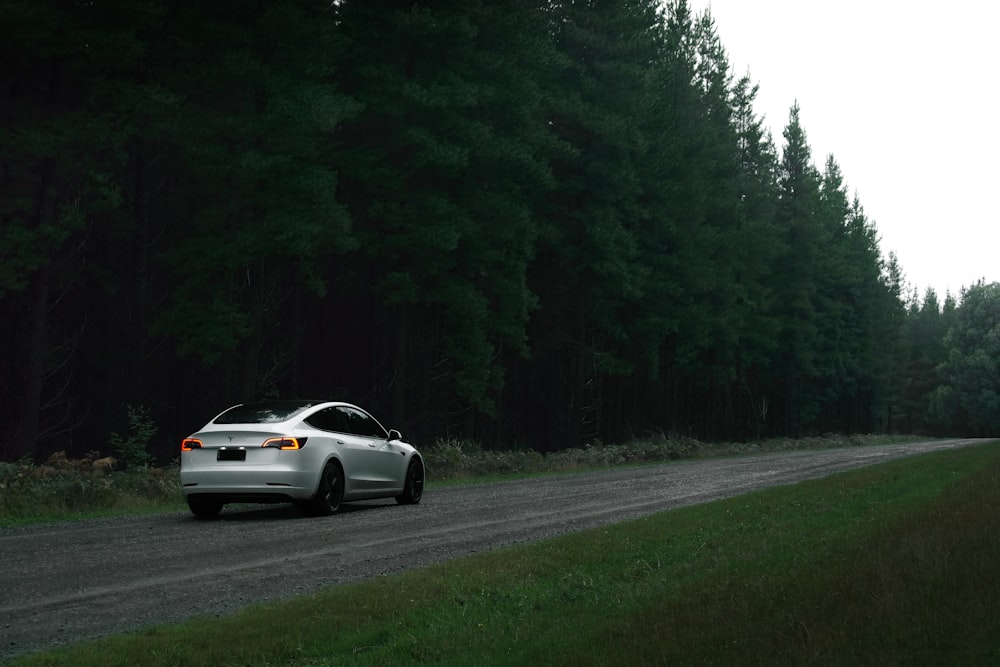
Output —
(443, 171)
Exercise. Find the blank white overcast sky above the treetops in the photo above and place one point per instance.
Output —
(904, 95)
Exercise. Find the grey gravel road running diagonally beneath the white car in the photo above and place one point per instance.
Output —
(81, 580)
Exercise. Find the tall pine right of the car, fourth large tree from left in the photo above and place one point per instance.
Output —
(590, 271)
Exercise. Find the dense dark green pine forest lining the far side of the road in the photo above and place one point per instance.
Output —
(527, 224)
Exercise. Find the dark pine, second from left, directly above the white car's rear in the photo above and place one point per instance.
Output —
(259, 118)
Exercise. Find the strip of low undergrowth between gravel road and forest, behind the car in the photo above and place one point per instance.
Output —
(95, 485)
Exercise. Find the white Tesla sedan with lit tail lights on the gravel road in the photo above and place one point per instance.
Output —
(314, 454)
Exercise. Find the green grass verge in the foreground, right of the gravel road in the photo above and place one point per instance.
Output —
(895, 564)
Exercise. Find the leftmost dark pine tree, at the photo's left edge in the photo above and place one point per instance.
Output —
(57, 180)
